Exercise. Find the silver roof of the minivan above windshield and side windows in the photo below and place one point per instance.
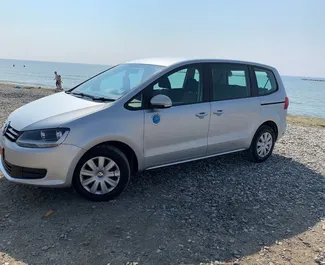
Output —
(169, 61)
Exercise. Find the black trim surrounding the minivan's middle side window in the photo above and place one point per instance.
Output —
(248, 77)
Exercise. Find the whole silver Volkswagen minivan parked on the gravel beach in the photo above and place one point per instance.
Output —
(142, 115)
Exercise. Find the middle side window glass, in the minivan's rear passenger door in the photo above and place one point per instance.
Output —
(230, 81)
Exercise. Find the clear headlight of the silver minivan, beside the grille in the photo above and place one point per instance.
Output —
(43, 138)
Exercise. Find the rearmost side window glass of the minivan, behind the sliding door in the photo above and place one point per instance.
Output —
(265, 81)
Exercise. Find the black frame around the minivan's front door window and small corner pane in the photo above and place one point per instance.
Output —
(201, 66)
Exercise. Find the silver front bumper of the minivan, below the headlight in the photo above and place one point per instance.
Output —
(58, 163)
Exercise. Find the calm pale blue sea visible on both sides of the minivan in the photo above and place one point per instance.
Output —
(306, 97)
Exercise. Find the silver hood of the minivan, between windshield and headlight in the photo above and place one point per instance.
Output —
(52, 111)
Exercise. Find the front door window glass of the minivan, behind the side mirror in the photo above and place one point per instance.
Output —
(183, 86)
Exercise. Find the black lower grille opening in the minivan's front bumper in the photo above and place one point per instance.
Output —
(23, 172)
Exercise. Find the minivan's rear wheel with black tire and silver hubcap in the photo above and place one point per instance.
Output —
(253, 153)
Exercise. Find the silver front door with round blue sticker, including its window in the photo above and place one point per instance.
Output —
(180, 132)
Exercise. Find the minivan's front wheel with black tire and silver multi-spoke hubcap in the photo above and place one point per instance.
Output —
(103, 166)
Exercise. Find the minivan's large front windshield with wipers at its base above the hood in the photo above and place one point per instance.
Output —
(117, 81)
